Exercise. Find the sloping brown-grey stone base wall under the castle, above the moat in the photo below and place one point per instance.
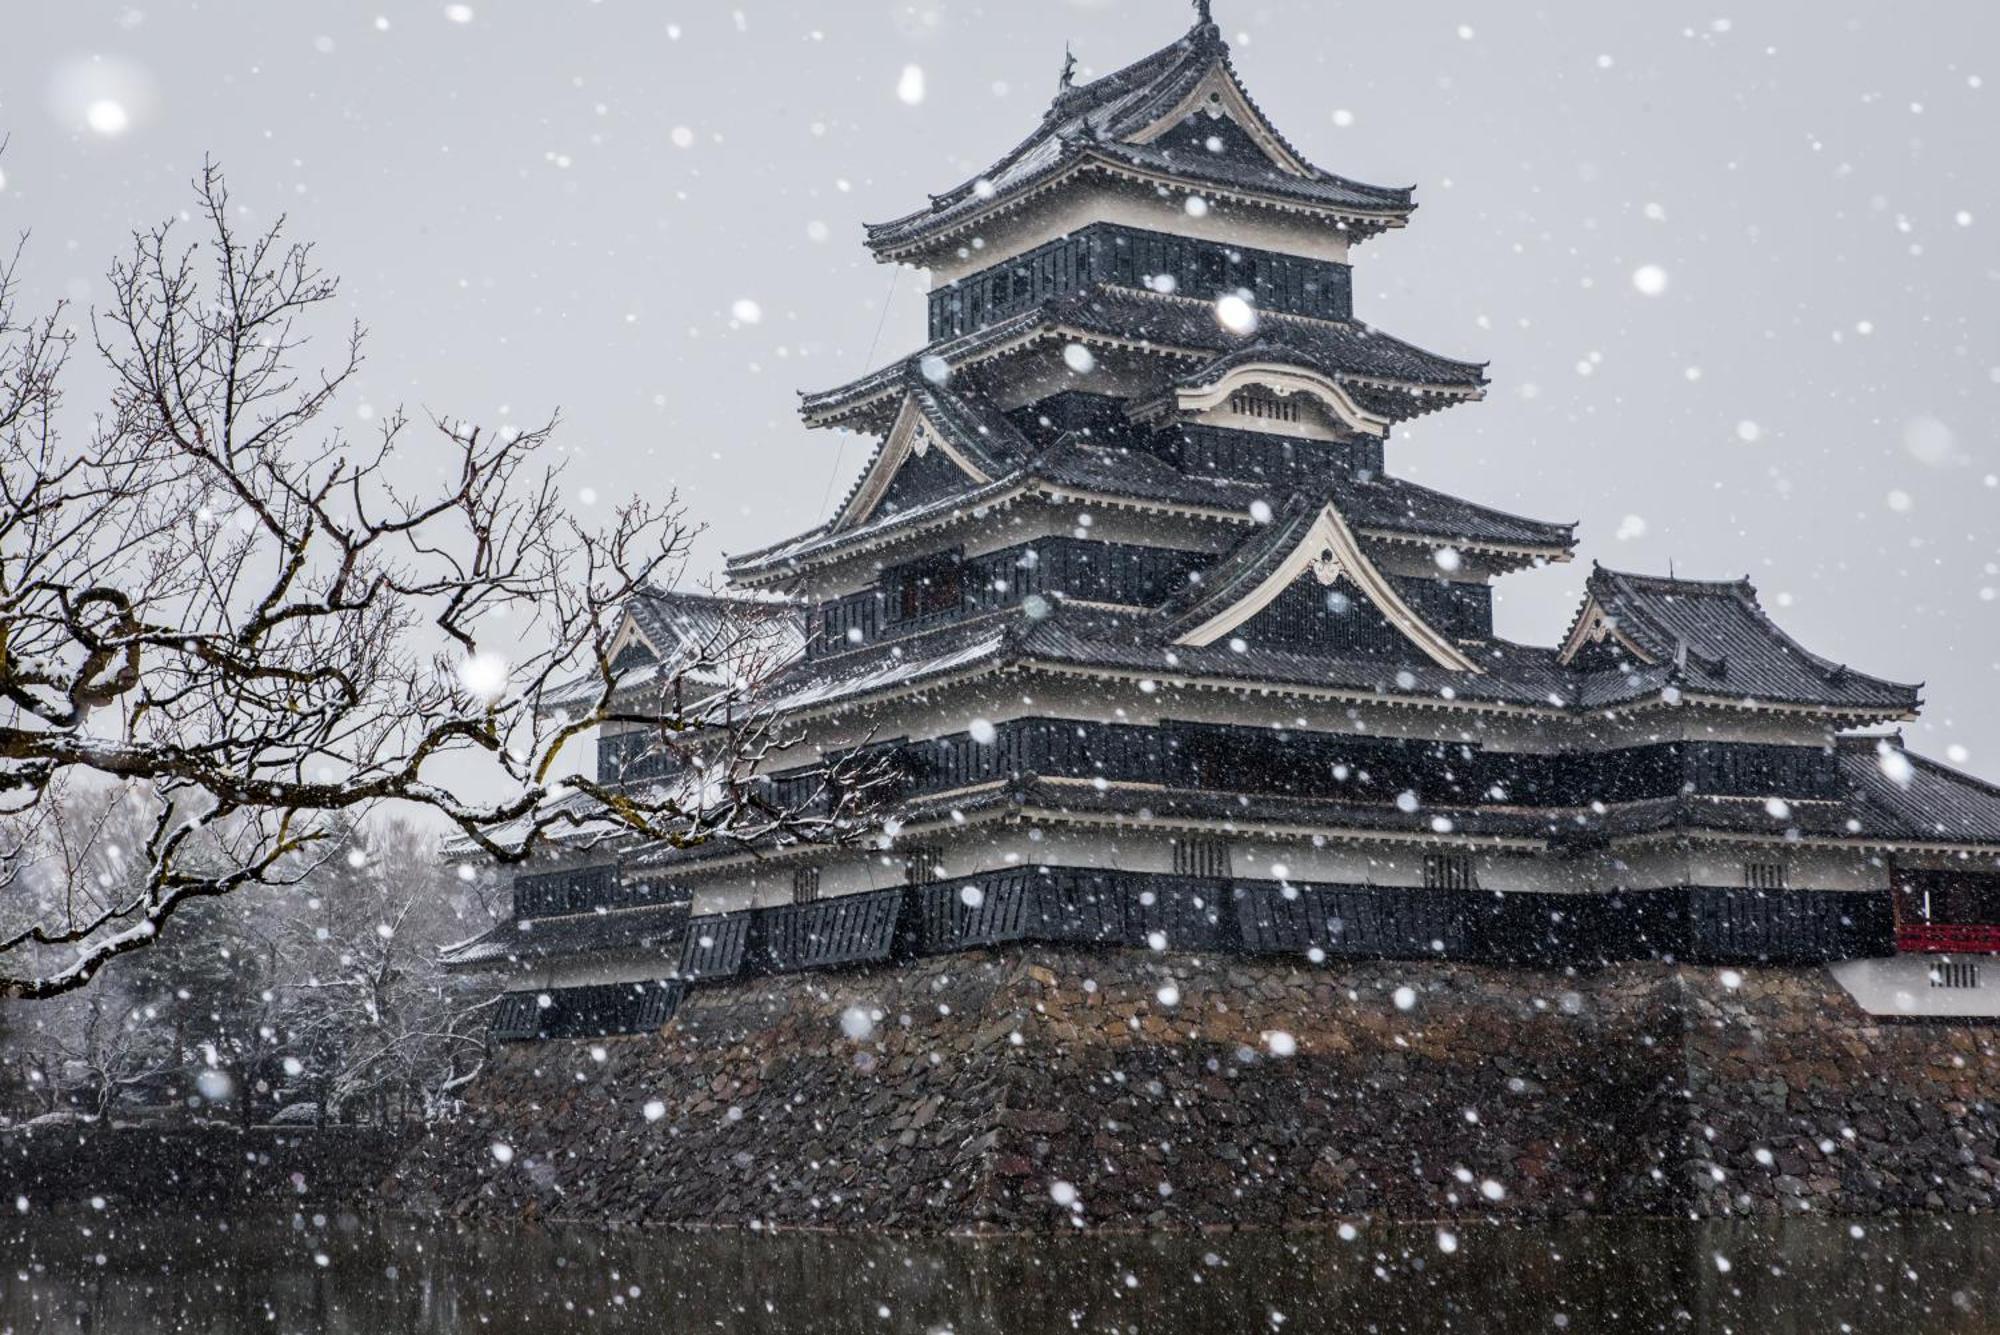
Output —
(1035, 1088)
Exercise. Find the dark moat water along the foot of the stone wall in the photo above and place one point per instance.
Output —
(347, 1274)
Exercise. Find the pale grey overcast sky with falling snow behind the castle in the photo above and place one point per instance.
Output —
(563, 205)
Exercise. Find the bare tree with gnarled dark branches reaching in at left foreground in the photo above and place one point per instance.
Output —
(229, 607)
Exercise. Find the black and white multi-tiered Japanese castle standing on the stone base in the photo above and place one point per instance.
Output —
(1163, 655)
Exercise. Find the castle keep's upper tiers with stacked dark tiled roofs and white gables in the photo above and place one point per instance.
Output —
(1103, 387)
